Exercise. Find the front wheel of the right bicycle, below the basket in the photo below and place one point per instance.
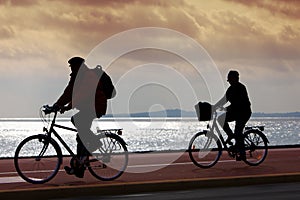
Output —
(205, 149)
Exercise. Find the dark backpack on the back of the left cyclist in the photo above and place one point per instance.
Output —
(108, 87)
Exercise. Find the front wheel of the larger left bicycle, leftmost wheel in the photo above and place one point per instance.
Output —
(37, 159)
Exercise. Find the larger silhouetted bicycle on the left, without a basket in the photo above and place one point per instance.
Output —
(38, 157)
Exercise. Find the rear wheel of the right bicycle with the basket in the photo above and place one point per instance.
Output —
(256, 145)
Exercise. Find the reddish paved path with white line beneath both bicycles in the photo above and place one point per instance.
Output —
(157, 171)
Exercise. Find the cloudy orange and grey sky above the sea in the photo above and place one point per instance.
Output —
(259, 38)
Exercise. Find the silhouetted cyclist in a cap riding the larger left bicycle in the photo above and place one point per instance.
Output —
(85, 93)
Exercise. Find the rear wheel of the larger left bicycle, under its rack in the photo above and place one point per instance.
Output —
(110, 161)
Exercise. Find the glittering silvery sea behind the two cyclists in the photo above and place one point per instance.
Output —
(144, 134)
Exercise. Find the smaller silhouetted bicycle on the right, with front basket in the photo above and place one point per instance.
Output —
(205, 147)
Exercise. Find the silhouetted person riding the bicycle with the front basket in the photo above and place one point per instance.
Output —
(239, 111)
